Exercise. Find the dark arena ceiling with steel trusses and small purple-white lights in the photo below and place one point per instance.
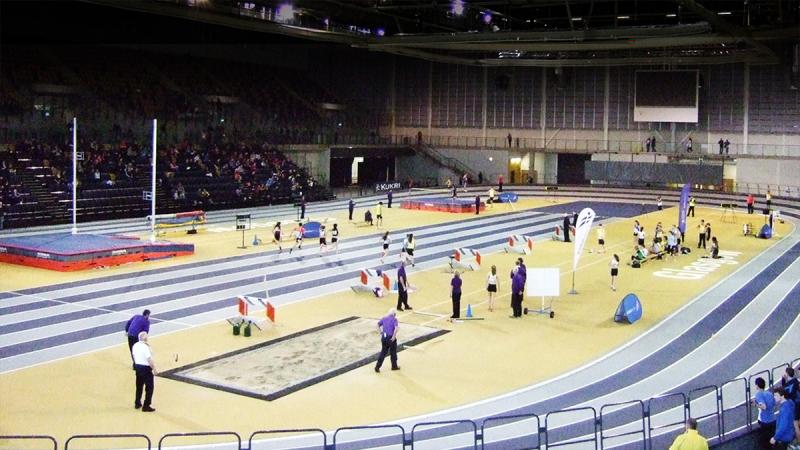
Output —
(516, 32)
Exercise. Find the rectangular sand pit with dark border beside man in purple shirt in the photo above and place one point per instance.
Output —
(276, 368)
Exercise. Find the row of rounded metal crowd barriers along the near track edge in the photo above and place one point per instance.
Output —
(723, 412)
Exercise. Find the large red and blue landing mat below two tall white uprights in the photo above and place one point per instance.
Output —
(66, 252)
